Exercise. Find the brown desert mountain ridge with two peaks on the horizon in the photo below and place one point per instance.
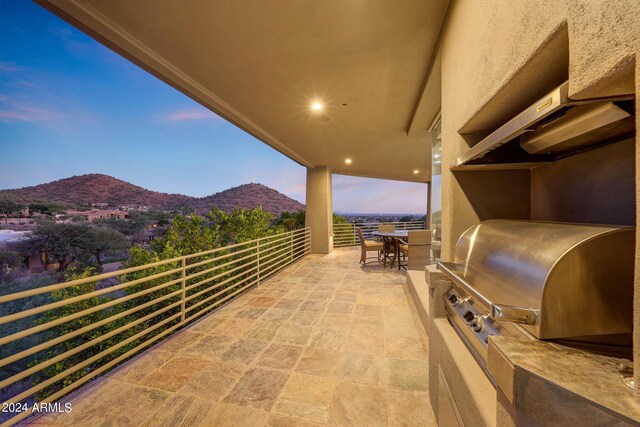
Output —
(98, 188)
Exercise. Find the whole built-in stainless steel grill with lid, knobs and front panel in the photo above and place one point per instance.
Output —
(568, 283)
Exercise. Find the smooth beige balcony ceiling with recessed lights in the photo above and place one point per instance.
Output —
(260, 64)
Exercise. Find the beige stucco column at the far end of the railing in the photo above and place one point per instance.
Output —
(320, 209)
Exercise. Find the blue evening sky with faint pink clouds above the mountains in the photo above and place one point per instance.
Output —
(70, 106)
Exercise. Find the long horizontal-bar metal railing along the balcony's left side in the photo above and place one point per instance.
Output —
(150, 302)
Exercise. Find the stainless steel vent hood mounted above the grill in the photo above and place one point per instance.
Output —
(551, 128)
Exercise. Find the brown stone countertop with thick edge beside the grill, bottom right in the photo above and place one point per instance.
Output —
(543, 380)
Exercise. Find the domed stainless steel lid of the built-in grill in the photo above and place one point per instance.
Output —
(577, 278)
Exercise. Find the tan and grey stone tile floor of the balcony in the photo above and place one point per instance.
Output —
(324, 342)
